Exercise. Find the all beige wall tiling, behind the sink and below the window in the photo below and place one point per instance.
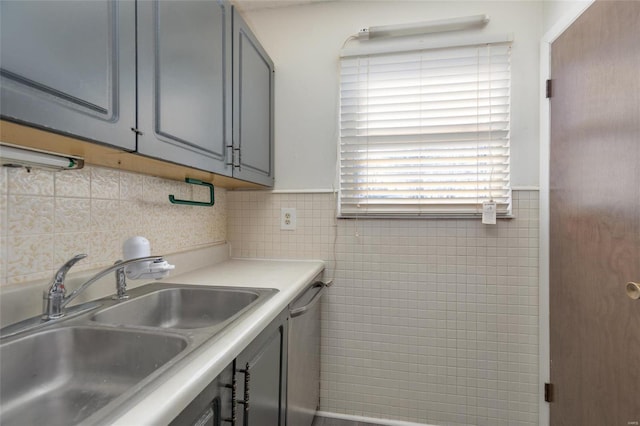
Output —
(431, 321)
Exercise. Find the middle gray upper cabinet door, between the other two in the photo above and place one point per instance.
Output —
(184, 78)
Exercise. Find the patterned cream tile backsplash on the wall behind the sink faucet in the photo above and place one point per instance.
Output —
(47, 217)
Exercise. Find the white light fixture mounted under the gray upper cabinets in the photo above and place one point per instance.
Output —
(11, 156)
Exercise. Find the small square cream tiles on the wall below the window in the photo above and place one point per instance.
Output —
(429, 321)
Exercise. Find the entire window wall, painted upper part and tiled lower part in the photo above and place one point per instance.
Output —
(478, 376)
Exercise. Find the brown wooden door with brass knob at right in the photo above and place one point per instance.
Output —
(595, 218)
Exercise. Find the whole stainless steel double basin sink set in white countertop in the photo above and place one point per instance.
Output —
(89, 367)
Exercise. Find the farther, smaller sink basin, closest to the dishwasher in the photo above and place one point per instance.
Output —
(180, 308)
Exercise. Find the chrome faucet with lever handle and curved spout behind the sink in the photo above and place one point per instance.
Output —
(55, 297)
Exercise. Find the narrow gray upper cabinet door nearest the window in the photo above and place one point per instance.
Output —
(252, 106)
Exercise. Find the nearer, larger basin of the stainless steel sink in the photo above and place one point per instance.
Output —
(62, 376)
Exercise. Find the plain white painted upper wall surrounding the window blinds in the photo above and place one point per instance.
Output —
(305, 41)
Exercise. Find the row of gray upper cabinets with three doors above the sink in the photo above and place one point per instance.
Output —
(183, 81)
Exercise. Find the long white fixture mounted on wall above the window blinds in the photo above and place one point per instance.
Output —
(437, 26)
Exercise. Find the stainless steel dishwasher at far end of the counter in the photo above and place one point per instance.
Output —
(303, 375)
